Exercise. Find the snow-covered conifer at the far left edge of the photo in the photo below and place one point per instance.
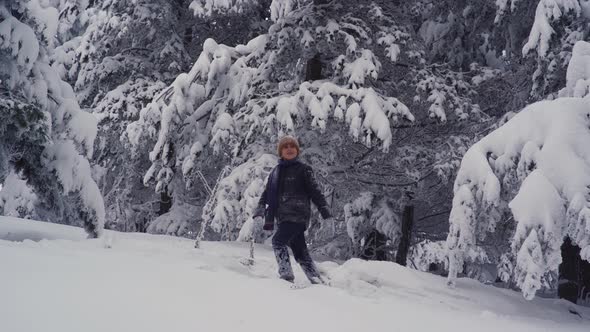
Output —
(43, 128)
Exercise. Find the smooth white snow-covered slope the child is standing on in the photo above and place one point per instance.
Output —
(53, 279)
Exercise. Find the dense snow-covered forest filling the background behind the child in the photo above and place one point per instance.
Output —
(162, 116)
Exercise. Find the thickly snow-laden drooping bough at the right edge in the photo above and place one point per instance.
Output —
(535, 168)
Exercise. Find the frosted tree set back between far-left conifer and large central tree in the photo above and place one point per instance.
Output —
(124, 54)
